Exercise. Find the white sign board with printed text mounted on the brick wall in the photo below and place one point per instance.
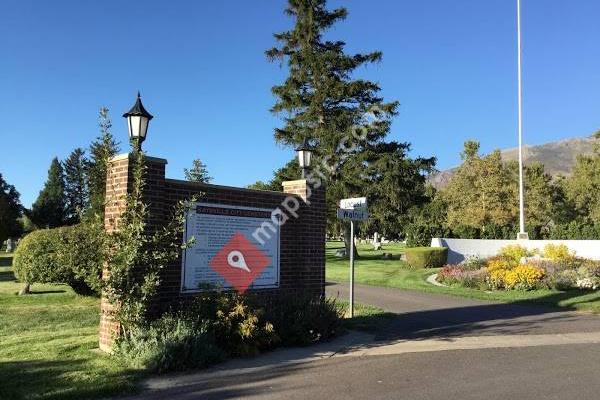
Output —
(224, 247)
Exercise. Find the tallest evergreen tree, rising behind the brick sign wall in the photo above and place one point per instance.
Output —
(322, 101)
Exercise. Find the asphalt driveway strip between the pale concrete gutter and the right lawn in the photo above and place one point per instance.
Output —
(425, 315)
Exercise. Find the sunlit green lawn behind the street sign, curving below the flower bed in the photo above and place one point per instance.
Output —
(370, 269)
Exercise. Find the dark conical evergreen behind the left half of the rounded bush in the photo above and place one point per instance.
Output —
(49, 210)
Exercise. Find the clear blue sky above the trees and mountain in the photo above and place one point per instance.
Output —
(202, 72)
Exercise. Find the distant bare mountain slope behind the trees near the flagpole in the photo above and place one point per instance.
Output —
(558, 157)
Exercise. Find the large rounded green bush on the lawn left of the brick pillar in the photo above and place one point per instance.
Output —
(71, 255)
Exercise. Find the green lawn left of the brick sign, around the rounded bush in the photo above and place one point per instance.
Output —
(47, 345)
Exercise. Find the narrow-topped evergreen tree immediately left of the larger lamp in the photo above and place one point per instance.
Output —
(101, 151)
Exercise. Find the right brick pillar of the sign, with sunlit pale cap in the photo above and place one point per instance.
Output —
(310, 233)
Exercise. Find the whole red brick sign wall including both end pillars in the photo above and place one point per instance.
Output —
(302, 239)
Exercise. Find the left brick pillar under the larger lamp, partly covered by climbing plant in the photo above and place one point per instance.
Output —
(118, 184)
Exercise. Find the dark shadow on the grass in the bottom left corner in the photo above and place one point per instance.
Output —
(62, 379)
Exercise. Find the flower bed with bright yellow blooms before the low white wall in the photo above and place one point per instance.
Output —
(516, 268)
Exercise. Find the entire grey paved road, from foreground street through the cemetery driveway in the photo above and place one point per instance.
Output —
(439, 347)
